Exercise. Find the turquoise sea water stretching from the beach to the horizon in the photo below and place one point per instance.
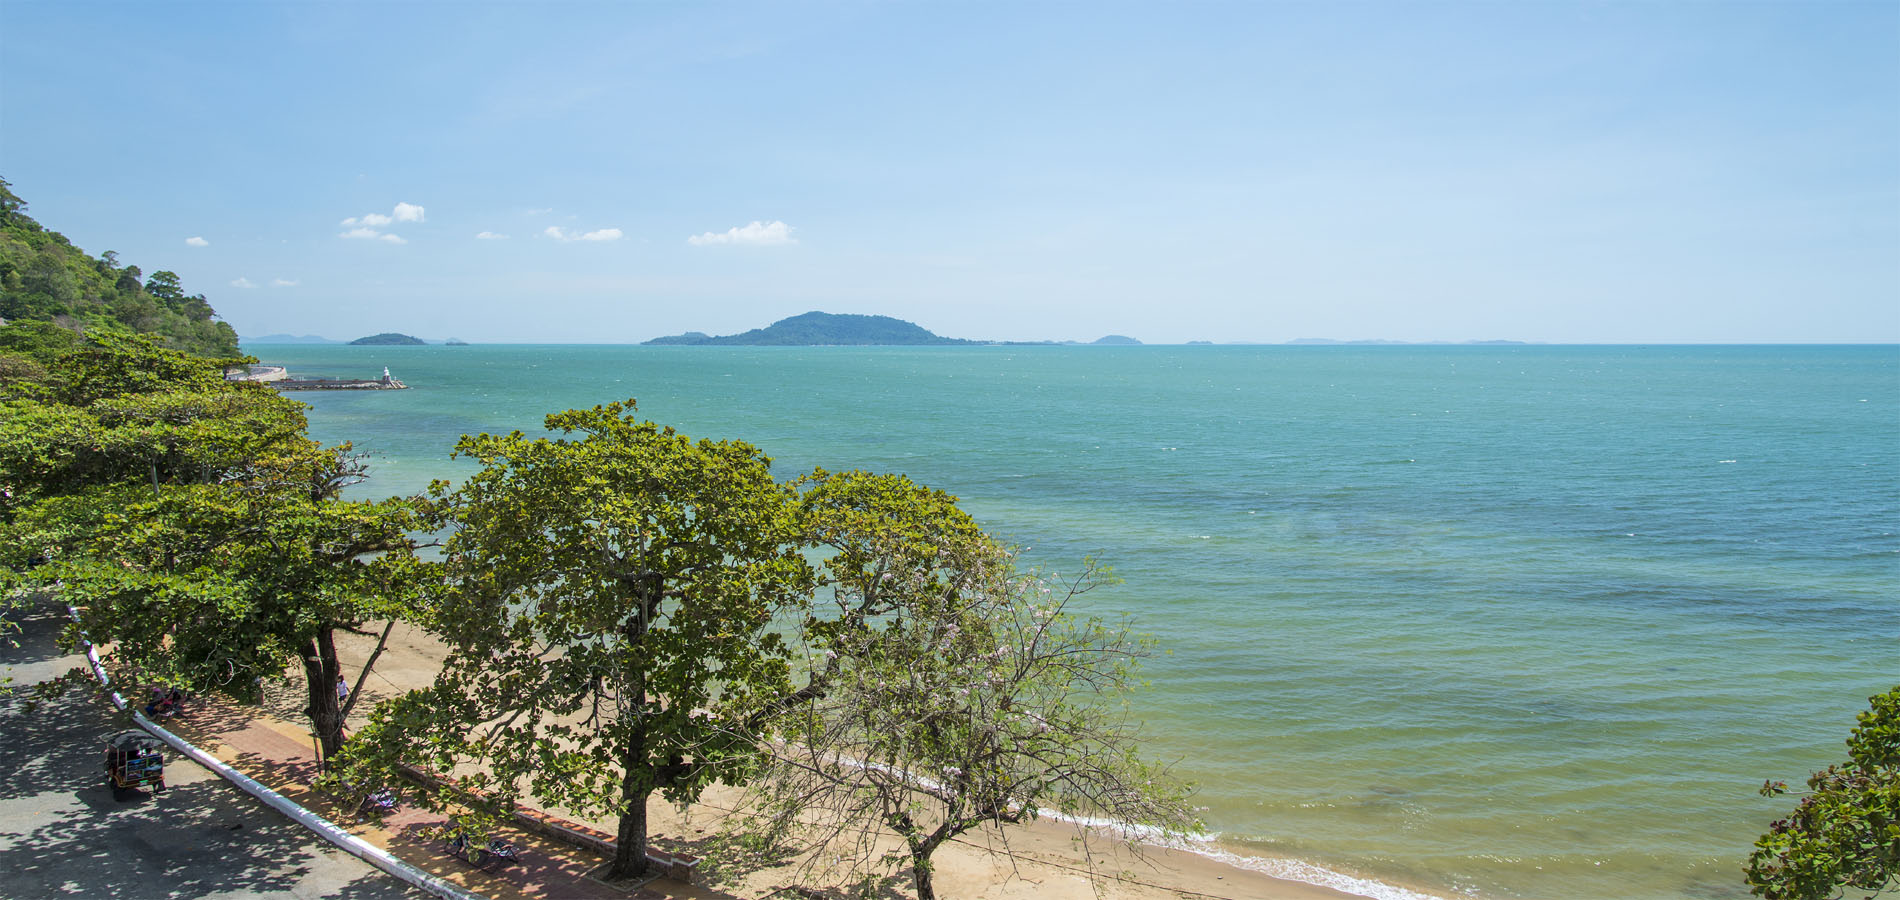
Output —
(1498, 622)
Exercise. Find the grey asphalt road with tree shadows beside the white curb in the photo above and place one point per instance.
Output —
(62, 834)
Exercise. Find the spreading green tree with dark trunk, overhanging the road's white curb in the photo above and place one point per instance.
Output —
(219, 586)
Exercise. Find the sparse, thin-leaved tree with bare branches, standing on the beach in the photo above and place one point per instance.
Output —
(981, 702)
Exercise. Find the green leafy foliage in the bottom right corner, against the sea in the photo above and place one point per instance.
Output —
(1846, 833)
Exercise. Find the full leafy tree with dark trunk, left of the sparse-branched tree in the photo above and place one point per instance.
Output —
(607, 609)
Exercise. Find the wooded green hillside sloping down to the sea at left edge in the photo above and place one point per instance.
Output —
(45, 278)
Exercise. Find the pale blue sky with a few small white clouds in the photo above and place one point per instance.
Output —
(1559, 172)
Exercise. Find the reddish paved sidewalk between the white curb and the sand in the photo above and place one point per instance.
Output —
(282, 755)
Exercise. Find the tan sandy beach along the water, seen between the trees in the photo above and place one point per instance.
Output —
(1036, 861)
